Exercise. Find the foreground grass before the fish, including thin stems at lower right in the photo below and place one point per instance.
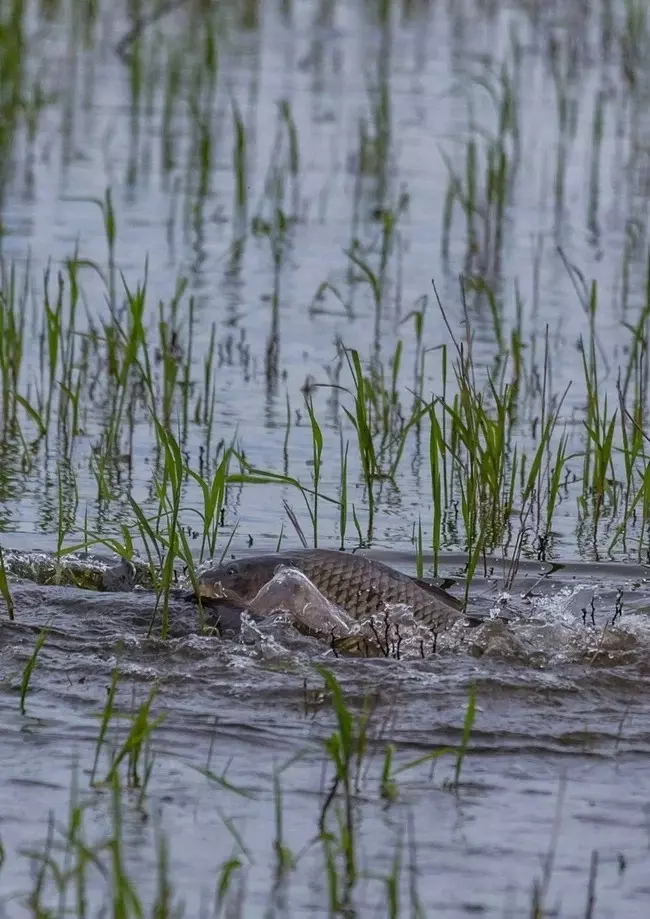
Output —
(76, 872)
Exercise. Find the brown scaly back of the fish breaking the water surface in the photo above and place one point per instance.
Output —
(359, 585)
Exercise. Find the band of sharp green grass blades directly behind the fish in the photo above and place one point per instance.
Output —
(491, 487)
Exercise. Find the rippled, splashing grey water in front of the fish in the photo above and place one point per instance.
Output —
(561, 726)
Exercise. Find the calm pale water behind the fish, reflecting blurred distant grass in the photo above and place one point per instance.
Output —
(308, 175)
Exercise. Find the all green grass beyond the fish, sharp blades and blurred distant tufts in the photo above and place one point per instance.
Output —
(497, 481)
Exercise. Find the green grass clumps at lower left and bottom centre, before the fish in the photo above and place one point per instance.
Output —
(71, 872)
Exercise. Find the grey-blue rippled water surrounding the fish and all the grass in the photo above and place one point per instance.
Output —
(559, 749)
